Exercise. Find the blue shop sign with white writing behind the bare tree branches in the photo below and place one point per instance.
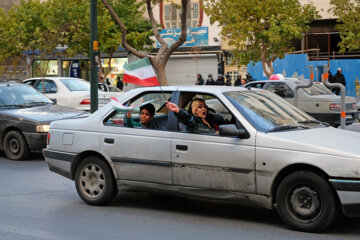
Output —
(195, 36)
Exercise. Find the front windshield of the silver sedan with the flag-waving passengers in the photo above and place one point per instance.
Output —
(267, 112)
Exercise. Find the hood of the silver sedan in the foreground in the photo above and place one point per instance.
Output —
(326, 140)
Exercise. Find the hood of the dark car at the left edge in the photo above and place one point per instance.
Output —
(46, 113)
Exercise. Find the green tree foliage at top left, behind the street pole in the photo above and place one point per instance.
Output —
(33, 25)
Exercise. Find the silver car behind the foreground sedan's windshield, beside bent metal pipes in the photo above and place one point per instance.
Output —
(318, 100)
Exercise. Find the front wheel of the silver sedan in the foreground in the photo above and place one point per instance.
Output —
(306, 202)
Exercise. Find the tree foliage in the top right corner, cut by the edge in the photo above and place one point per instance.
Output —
(348, 13)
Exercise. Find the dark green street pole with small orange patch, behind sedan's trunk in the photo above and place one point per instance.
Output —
(94, 48)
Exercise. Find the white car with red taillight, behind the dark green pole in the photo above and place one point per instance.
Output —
(71, 92)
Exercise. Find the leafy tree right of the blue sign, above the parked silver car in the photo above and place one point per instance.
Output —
(261, 30)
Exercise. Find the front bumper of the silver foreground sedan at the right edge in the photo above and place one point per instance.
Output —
(349, 196)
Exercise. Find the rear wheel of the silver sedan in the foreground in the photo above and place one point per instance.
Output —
(94, 181)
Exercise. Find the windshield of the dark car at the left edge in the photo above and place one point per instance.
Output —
(21, 96)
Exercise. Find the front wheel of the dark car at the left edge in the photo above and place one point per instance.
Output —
(15, 146)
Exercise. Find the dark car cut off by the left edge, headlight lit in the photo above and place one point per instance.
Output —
(25, 116)
